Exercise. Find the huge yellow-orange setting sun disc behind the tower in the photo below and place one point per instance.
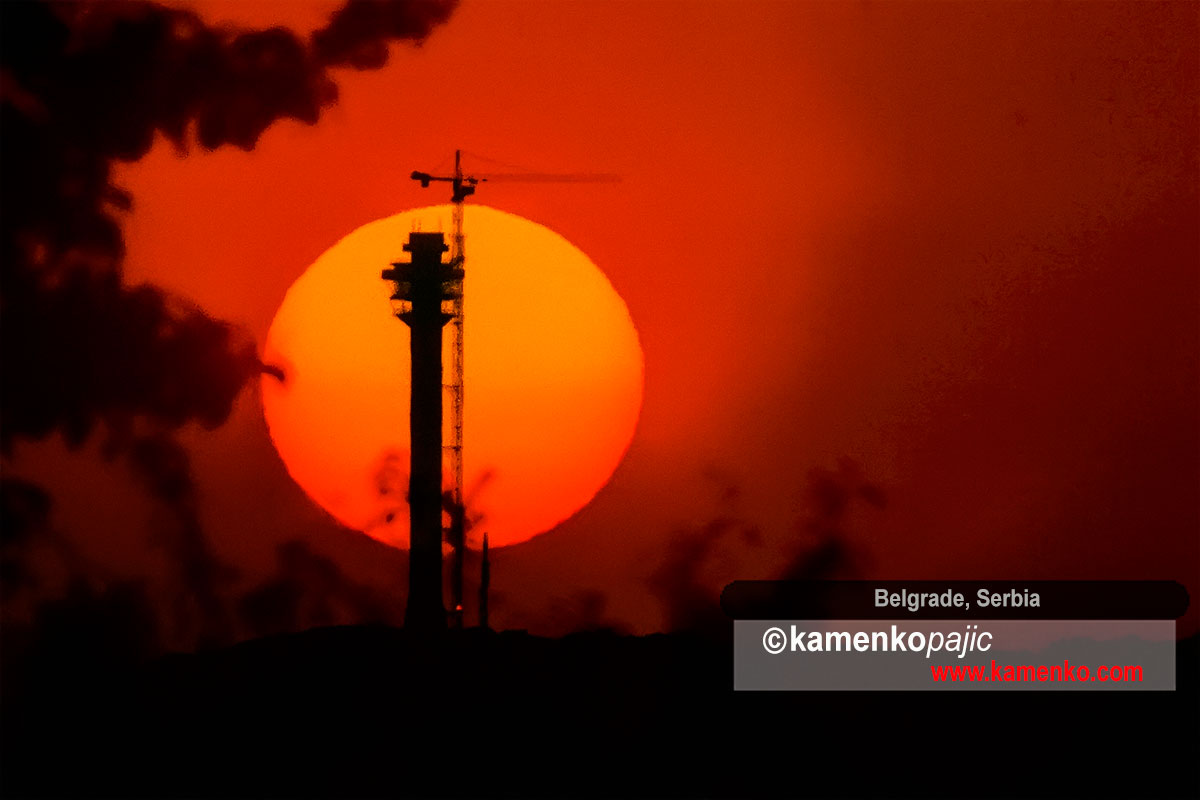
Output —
(554, 378)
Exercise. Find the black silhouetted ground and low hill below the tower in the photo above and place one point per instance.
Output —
(369, 712)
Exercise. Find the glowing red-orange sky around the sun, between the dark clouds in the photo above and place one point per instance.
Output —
(955, 243)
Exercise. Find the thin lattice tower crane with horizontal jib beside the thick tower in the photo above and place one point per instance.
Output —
(464, 187)
